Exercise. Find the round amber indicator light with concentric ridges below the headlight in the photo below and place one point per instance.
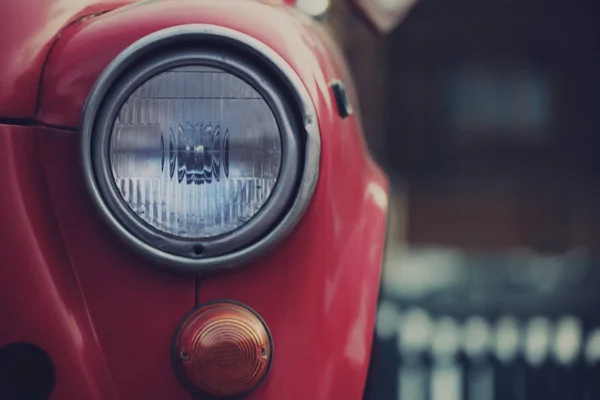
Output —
(222, 349)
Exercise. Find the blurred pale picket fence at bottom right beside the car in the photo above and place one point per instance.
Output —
(445, 359)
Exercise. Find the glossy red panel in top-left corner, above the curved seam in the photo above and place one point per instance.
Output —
(28, 30)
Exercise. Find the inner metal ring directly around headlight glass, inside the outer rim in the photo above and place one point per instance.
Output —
(267, 215)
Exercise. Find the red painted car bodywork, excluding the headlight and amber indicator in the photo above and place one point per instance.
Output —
(104, 314)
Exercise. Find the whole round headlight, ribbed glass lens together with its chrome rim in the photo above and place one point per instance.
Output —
(201, 147)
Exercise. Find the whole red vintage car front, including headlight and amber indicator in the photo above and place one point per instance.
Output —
(188, 208)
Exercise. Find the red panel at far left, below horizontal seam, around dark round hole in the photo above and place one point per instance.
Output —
(41, 299)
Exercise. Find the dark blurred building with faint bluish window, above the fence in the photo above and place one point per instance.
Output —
(492, 122)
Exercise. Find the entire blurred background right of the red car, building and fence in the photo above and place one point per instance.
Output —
(483, 114)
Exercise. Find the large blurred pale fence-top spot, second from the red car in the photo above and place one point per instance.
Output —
(415, 331)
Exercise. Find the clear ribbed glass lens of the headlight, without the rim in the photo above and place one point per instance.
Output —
(195, 152)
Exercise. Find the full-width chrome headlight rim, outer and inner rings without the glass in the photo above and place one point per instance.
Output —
(289, 102)
